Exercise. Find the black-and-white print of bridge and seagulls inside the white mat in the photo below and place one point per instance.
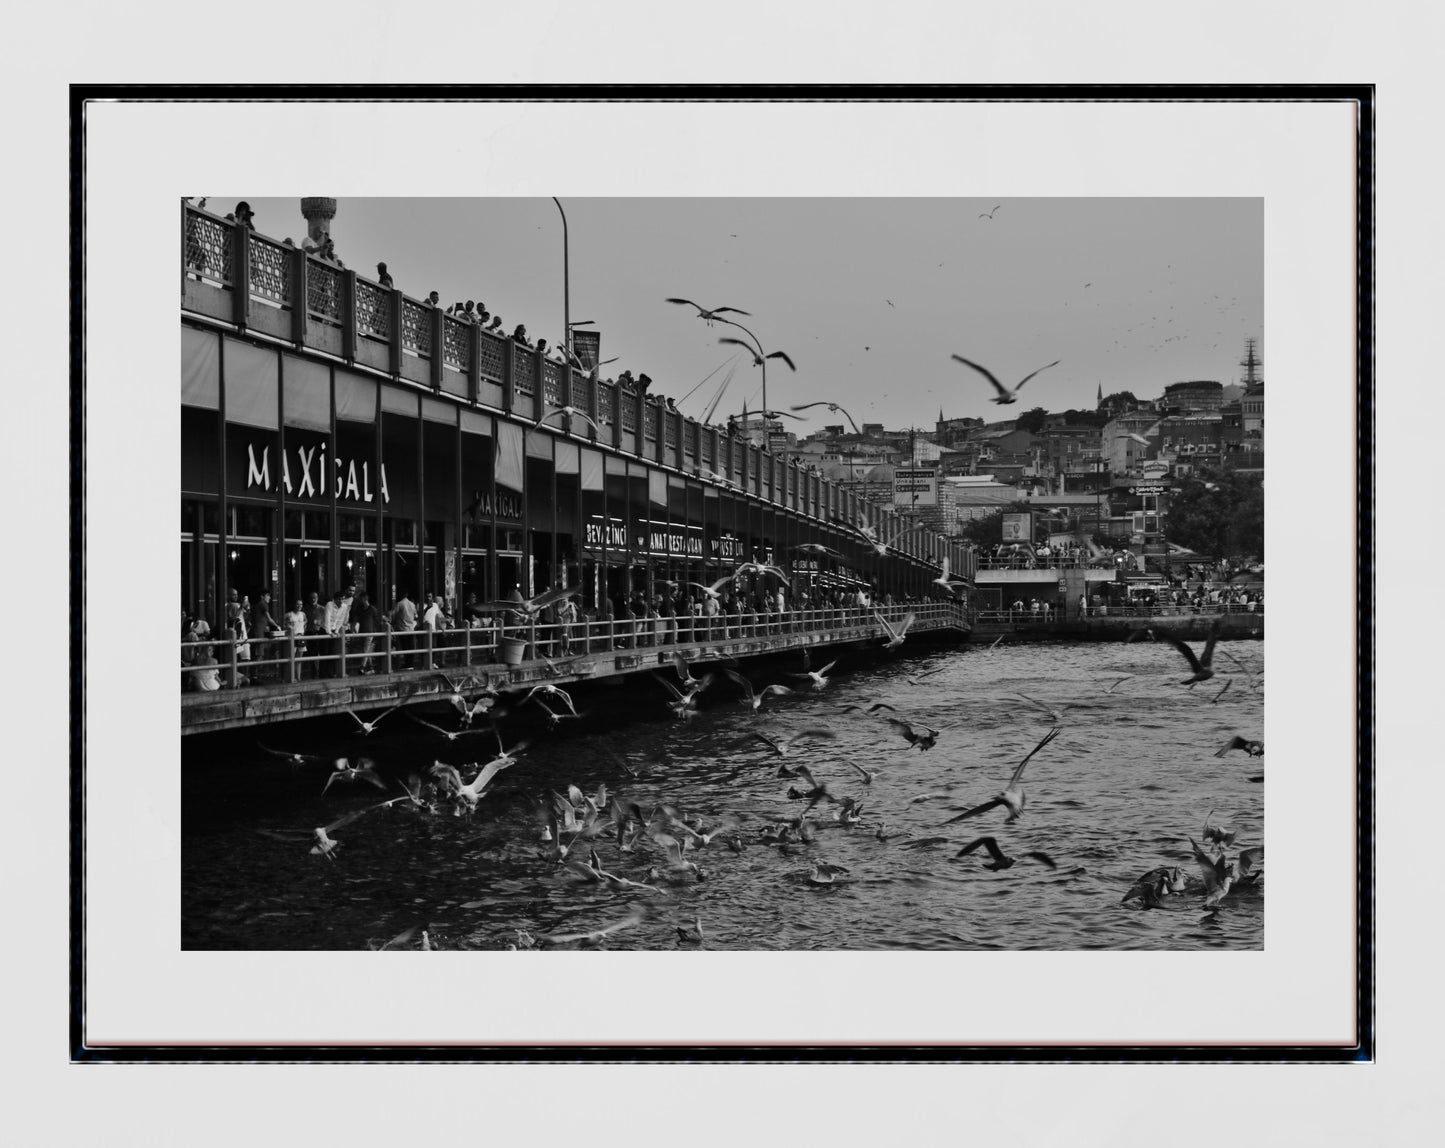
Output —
(722, 573)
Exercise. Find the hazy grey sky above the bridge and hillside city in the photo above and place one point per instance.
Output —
(869, 297)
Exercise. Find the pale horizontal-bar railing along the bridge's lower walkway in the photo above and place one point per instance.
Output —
(277, 661)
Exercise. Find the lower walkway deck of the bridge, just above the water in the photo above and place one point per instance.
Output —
(288, 702)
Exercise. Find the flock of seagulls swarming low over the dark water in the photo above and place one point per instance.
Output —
(660, 851)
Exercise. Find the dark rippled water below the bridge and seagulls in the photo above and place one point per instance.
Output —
(1131, 777)
